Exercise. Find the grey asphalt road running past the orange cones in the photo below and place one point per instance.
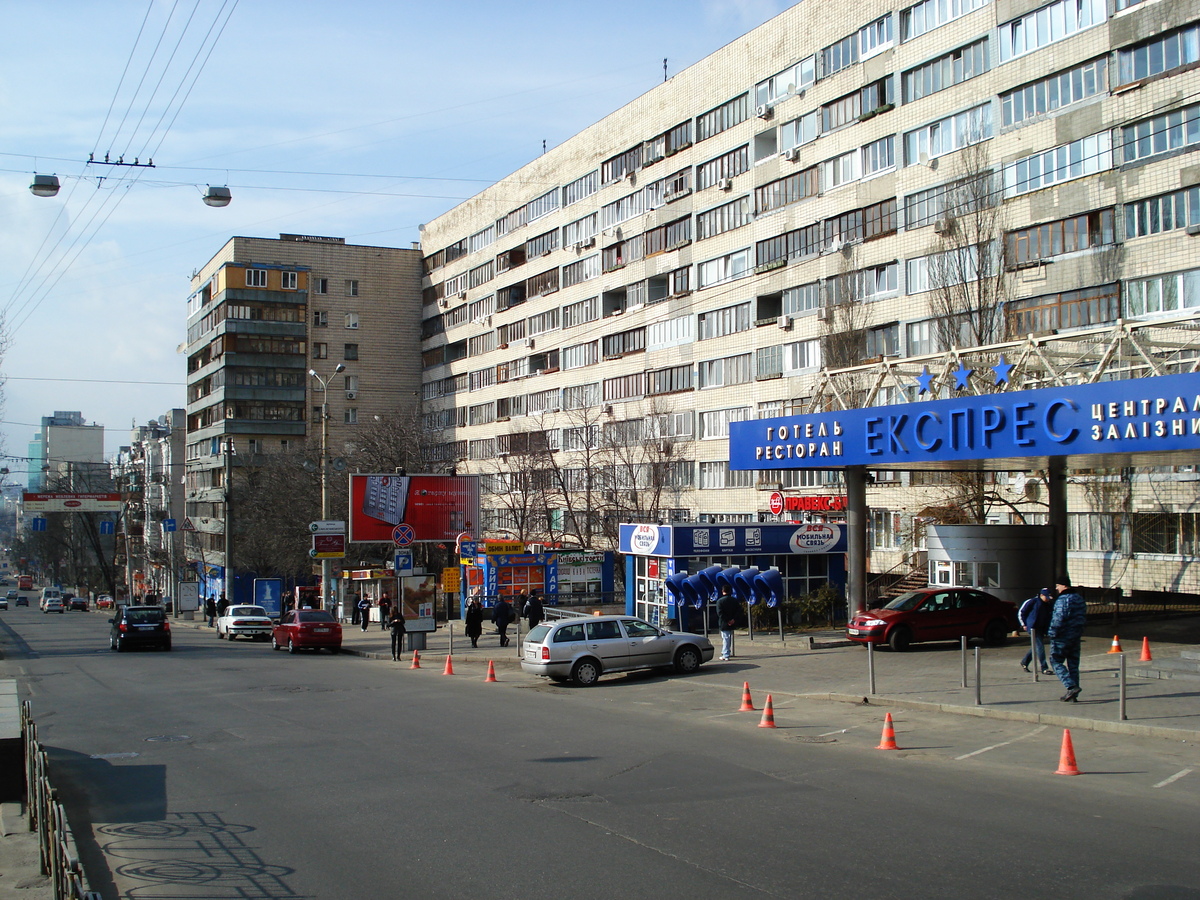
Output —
(229, 771)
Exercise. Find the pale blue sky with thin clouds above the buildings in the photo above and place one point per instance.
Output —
(357, 119)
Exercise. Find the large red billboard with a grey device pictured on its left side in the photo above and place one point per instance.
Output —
(435, 508)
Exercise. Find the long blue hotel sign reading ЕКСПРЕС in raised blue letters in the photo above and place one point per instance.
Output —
(1137, 416)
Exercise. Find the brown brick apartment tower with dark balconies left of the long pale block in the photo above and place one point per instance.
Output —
(265, 315)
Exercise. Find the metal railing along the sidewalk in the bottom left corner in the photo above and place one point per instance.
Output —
(56, 843)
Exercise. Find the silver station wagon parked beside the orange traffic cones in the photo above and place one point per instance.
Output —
(583, 650)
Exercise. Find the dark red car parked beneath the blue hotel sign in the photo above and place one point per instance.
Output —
(935, 615)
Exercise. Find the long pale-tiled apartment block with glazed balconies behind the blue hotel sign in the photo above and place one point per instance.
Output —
(895, 183)
